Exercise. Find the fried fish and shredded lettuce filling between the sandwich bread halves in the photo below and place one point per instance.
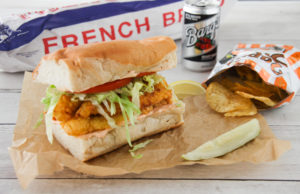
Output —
(83, 113)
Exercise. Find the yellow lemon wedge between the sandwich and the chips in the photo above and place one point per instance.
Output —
(185, 88)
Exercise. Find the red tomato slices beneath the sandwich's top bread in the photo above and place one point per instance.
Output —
(111, 85)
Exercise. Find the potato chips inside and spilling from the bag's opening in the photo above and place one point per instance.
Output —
(249, 85)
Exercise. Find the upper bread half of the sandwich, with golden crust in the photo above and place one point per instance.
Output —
(79, 68)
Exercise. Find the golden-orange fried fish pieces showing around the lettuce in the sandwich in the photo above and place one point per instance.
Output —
(79, 118)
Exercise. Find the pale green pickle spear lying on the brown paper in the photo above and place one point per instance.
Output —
(226, 142)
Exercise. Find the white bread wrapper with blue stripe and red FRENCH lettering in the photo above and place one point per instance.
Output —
(26, 37)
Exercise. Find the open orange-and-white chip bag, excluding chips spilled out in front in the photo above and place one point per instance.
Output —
(253, 69)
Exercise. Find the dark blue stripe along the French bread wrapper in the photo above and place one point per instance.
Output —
(29, 30)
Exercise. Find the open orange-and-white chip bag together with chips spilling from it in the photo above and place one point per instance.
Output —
(268, 75)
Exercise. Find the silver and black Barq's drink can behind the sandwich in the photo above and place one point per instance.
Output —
(199, 34)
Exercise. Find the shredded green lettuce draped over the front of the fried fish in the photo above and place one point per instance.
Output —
(130, 109)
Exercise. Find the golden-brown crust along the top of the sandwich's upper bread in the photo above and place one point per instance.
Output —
(145, 52)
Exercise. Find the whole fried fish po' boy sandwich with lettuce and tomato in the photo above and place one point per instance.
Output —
(104, 95)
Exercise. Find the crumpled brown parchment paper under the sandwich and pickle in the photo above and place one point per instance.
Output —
(33, 155)
